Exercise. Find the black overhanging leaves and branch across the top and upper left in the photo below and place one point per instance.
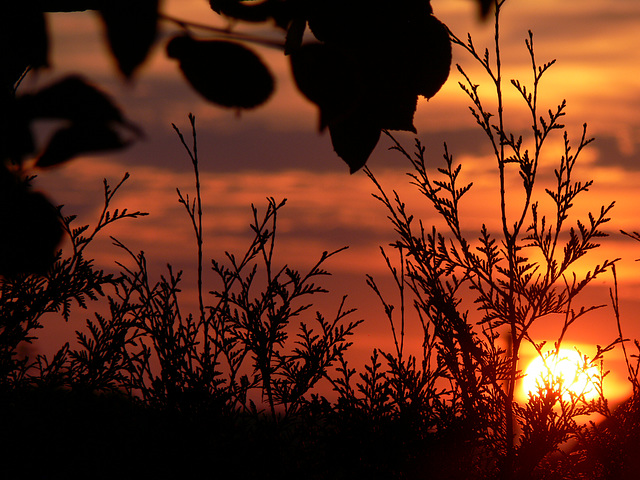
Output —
(364, 65)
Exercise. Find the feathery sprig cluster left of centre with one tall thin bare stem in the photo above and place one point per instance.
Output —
(237, 345)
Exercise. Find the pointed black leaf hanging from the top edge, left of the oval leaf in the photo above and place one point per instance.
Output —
(131, 30)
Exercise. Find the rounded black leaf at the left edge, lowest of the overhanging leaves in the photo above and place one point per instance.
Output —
(30, 229)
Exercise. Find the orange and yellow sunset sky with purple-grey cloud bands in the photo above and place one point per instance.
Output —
(275, 150)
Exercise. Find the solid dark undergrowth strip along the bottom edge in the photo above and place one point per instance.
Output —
(49, 434)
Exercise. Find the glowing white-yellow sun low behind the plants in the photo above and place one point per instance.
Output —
(566, 370)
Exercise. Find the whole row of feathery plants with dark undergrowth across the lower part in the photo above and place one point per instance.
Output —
(147, 390)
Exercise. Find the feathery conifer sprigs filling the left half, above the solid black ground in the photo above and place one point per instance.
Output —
(252, 348)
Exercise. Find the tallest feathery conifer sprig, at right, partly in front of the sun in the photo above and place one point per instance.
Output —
(511, 289)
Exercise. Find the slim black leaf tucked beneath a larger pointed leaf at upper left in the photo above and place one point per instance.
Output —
(66, 143)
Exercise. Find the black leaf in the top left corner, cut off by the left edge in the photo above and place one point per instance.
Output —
(23, 41)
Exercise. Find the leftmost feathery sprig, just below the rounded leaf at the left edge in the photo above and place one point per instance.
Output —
(73, 279)
